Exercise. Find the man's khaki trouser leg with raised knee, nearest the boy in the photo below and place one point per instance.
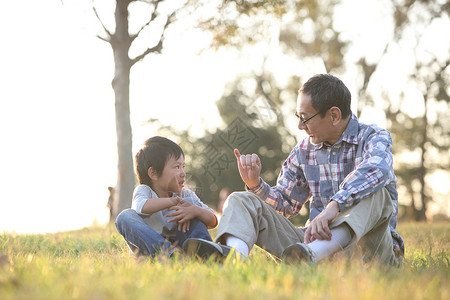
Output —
(254, 222)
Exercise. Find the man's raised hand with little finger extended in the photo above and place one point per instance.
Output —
(249, 166)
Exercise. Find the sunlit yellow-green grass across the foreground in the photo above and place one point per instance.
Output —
(94, 263)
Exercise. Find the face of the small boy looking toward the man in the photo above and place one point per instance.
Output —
(171, 179)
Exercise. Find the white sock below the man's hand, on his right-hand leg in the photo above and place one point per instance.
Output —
(340, 237)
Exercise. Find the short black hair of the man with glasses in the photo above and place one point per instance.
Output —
(327, 91)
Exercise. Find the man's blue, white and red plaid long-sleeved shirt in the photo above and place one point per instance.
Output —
(357, 166)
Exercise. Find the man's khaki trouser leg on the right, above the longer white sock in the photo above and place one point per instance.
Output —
(369, 221)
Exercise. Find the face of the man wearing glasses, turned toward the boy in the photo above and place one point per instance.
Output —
(318, 128)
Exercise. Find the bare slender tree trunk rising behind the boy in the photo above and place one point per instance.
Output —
(121, 43)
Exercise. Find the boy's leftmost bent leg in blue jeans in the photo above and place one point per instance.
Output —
(140, 237)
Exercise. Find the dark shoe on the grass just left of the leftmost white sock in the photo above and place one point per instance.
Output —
(205, 249)
